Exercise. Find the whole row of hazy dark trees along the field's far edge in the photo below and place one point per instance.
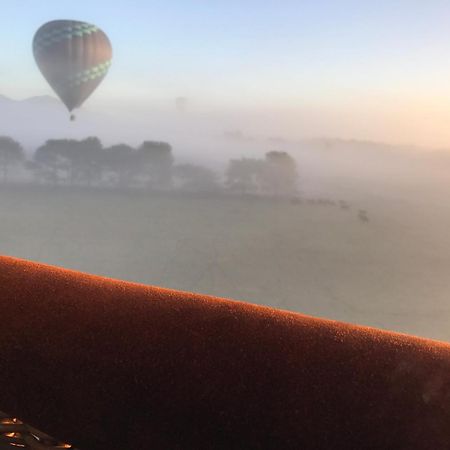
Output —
(151, 165)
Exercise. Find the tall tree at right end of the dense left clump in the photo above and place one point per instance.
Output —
(157, 163)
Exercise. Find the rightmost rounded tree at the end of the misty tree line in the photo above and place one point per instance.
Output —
(279, 177)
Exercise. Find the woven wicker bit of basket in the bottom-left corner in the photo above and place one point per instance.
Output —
(16, 434)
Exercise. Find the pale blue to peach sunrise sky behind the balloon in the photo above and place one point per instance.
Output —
(345, 68)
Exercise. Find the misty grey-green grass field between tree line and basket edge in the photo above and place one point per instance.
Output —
(391, 272)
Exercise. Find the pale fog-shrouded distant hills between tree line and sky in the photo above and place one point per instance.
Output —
(34, 120)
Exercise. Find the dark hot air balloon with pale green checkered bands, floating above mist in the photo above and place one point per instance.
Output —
(74, 57)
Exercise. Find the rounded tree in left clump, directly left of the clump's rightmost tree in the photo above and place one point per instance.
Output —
(121, 161)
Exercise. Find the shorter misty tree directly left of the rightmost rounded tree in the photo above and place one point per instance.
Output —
(243, 175)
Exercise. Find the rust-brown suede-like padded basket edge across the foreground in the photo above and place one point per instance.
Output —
(111, 365)
